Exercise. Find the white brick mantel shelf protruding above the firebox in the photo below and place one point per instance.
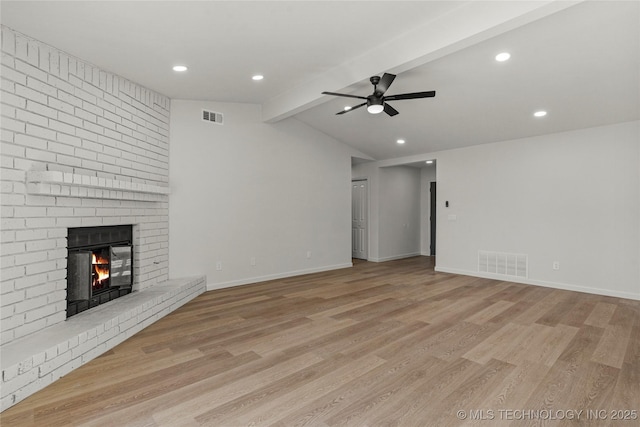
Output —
(57, 183)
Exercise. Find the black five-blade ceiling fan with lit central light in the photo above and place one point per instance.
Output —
(377, 102)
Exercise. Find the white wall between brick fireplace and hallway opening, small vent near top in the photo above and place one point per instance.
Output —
(247, 189)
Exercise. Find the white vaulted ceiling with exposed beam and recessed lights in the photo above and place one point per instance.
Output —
(580, 61)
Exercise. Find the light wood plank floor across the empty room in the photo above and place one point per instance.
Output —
(389, 344)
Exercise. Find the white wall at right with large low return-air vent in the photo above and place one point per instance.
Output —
(571, 197)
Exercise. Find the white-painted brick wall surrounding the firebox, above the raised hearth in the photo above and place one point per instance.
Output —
(62, 114)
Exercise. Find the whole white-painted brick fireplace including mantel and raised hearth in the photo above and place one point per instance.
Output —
(81, 147)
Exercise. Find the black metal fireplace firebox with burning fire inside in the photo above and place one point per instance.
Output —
(99, 266)
